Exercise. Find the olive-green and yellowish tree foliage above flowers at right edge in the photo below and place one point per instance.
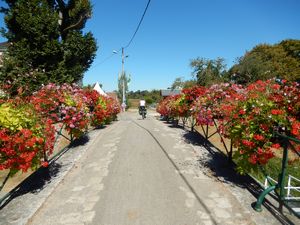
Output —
(267, 61)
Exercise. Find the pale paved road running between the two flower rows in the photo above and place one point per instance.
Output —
(143, 172)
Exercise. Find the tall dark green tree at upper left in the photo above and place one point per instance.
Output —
(47, 43)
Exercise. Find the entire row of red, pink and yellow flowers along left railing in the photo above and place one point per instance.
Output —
(27, 128)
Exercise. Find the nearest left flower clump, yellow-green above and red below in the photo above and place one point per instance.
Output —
(25, 137)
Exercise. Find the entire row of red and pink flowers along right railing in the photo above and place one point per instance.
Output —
(246, 115)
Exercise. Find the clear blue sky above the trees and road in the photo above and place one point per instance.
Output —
(175, 31)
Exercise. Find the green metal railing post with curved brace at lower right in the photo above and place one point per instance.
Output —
(279, 187)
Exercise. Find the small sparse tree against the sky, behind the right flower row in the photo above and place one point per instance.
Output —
(208, 71)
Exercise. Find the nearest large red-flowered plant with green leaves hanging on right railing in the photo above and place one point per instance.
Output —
(251, 125)
